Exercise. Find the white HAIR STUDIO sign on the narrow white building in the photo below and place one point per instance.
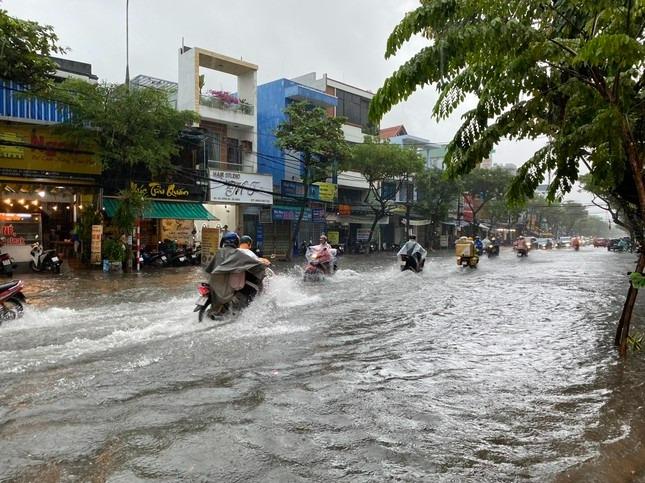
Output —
(241, 188)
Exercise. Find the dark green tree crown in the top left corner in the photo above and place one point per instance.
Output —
(25, 47)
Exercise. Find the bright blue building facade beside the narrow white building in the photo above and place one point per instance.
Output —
(273, 98)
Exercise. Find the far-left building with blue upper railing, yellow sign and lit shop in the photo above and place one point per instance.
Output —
(46, 181)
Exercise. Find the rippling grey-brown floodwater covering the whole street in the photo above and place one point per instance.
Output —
(504, 373)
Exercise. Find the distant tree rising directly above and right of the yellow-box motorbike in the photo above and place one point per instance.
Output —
(483, 186)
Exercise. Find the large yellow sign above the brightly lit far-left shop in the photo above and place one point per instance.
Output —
(37, 148)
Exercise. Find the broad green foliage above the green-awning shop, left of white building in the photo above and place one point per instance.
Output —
(129, 126)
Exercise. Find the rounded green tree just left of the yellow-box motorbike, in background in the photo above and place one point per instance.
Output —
(437, 195)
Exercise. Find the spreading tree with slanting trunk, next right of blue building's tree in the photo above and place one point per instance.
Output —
(386, 167)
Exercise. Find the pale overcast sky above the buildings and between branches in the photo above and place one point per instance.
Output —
(285, 38)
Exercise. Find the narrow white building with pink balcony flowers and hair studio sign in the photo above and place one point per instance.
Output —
(228, 121)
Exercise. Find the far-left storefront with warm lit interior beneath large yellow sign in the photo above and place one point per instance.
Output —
(45, 184)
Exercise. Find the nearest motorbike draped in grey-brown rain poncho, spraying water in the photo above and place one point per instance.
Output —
(234, 283)
